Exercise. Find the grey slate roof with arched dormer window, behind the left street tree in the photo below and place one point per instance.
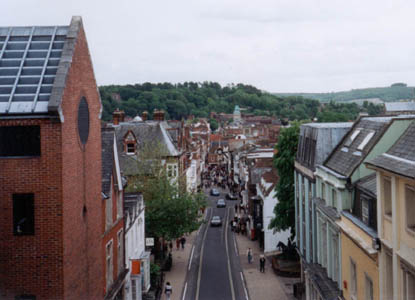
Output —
(148, 134)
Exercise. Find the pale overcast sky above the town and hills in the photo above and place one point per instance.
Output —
(278, 46)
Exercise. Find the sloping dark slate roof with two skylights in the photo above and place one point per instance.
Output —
(346, 157)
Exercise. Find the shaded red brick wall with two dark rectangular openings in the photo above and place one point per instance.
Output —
(33, 264)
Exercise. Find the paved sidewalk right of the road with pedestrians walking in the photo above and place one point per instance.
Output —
(262, 286)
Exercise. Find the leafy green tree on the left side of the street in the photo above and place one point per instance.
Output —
(171, 211)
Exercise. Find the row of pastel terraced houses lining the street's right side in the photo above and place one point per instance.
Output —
(355, 209)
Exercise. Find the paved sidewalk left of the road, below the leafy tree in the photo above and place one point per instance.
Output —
(177, 275)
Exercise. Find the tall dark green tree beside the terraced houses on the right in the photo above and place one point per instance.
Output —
(284, 210)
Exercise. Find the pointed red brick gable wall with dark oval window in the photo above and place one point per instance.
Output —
(81, 167)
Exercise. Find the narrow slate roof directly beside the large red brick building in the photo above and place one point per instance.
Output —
(107, 150)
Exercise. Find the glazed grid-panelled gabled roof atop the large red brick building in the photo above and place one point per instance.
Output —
(34, 64)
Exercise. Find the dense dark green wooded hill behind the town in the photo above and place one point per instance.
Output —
(199, 99)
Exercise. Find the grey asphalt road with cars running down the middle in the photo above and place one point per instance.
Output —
(214, 271)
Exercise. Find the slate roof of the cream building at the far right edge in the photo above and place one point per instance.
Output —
(400, 158)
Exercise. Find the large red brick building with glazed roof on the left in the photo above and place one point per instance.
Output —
(50, 166)
